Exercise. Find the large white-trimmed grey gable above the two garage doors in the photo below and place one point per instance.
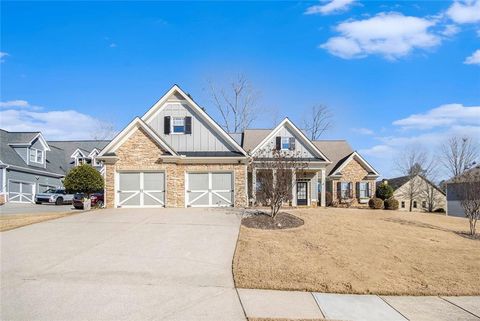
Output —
(206, 135)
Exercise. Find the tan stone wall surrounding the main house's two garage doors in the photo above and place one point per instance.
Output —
(140, 153)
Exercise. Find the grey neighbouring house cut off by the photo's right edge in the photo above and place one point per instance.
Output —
(455, 187)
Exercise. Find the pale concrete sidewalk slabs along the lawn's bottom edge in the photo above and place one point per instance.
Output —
(293, 305)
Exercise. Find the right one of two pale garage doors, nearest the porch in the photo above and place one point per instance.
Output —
(209, 189)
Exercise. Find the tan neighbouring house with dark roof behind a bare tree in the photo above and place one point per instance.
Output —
(426, 195)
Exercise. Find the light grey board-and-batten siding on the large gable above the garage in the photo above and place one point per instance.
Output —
(202, 138)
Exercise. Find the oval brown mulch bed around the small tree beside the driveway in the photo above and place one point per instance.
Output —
(265, 222)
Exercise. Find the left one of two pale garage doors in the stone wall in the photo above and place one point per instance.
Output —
(141, 189)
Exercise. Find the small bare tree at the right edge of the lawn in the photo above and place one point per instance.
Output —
(467, 188)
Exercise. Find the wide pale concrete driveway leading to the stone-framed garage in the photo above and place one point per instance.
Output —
(124, 264)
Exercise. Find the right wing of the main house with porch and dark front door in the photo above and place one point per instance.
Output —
(332, 166)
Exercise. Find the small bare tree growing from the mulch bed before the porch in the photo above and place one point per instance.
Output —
(275, 179)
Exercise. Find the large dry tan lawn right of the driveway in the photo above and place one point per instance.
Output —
(362, 251)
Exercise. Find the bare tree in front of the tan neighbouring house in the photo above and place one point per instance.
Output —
(414, 164)
